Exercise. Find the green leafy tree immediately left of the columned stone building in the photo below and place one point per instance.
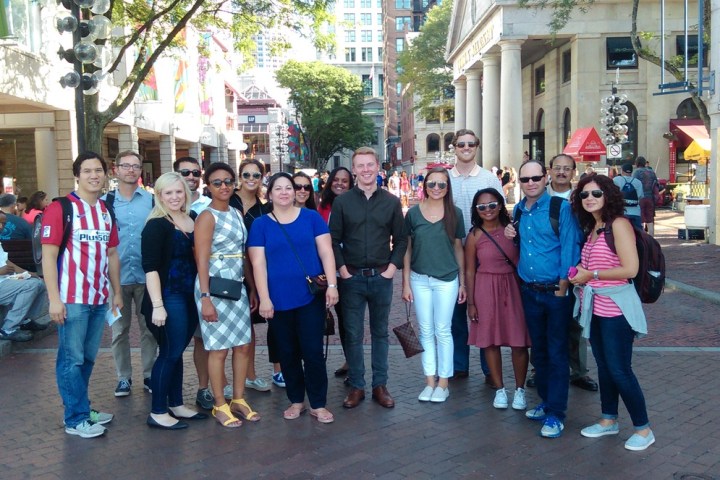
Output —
(424, 66)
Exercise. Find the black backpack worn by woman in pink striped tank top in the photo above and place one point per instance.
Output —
(650, 279)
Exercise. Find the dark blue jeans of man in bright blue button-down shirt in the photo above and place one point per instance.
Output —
(548, 319)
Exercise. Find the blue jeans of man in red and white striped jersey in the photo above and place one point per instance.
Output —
(78, 342)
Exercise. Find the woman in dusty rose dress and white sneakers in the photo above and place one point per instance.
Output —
(494, 306)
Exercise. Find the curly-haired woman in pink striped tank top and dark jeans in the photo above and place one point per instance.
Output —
(610, 307)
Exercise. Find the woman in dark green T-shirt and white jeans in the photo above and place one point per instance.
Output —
(433, 278)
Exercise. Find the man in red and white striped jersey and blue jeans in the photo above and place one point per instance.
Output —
(78, 280)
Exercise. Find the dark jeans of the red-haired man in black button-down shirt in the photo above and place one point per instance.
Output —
(355, 293)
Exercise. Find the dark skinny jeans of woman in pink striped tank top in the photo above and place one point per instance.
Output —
(612, 340)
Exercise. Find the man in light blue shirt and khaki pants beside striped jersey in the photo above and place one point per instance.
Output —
(132, 205)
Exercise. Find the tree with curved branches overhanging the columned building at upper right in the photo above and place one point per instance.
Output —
(562, 13)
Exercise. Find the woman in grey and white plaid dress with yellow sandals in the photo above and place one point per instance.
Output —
(220, 238)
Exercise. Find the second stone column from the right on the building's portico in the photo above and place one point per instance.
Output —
(491, 111)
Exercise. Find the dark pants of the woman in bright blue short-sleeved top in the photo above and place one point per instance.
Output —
(299, 337)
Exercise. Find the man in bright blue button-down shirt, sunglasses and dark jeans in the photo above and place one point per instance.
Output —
(545, 258)
